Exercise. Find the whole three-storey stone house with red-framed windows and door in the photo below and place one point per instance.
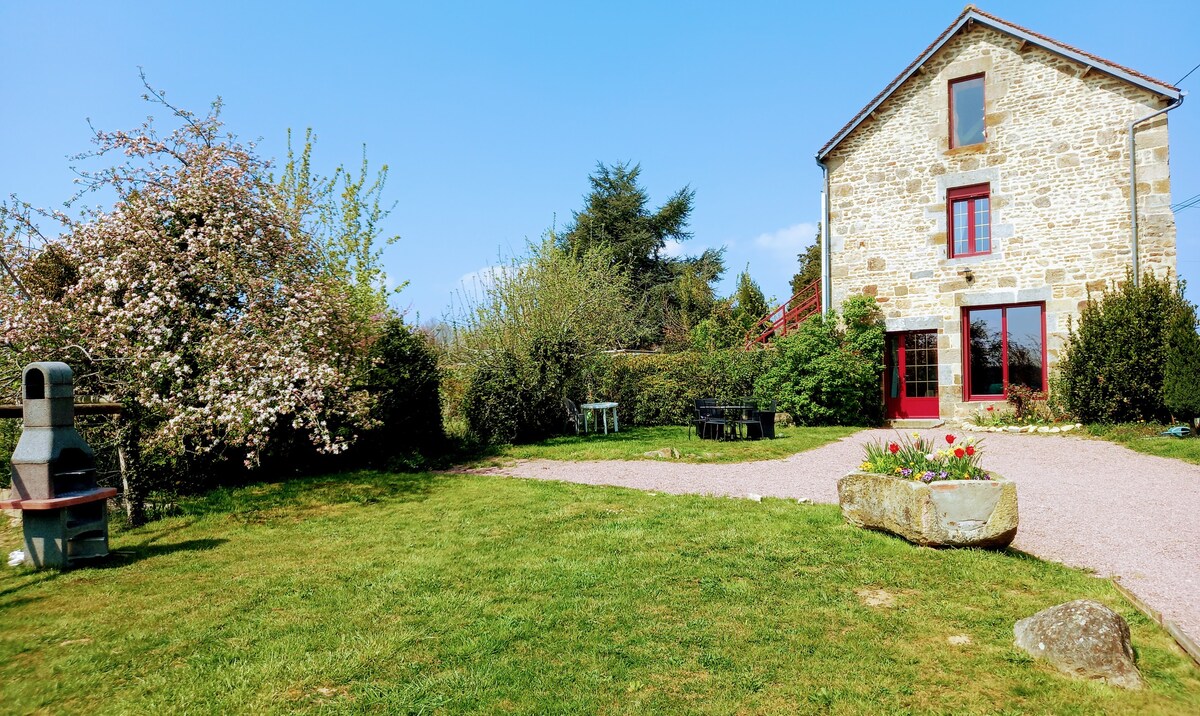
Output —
(981, 197)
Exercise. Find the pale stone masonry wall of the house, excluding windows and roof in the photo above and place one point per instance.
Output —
(1058, 163)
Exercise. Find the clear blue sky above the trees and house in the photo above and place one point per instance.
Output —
(491, 116)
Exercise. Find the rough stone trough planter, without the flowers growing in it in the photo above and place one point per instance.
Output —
(941, 514)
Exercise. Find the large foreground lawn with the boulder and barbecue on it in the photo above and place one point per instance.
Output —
(380, 593)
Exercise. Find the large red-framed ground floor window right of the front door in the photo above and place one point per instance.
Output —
(1004, 346)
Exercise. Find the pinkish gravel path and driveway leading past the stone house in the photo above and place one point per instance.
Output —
(1083, 503)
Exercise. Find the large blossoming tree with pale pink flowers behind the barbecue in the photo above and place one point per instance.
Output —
(193, 300)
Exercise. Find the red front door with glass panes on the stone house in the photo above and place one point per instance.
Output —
(910, 381)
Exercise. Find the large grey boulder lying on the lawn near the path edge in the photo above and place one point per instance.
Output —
(1083, 639)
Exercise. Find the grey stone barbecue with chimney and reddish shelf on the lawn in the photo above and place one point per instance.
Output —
(64, 513)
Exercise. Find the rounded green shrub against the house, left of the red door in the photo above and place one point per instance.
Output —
(829, 374)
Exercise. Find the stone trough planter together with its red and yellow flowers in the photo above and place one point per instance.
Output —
(931, 496)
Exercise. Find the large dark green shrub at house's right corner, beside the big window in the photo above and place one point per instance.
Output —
(1114, 365)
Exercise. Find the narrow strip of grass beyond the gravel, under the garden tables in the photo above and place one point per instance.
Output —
(635, 443)
